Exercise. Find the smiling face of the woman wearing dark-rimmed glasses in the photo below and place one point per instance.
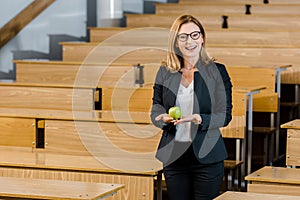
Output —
(189, 40)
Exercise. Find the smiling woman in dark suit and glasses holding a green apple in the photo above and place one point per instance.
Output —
(191, 148)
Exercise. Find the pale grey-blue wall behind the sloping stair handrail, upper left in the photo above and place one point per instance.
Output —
(63, 17)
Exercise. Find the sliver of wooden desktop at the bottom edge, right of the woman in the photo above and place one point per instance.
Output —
(252, 196)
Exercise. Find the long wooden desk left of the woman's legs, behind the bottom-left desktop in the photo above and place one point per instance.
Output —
(138, 180)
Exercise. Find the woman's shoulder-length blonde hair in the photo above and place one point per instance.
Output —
(174, 58)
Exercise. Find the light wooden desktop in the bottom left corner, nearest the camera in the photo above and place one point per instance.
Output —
(28, 188)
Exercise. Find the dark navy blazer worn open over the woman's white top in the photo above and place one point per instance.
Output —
(212, 100)
